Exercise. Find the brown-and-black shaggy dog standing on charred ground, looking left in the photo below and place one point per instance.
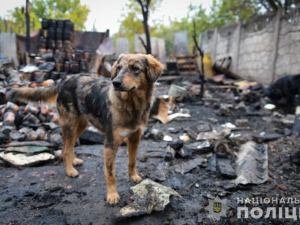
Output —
(120, 110)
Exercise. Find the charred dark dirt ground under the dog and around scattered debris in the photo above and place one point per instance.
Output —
(45, 195)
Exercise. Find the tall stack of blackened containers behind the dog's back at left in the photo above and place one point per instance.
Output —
(56, 57)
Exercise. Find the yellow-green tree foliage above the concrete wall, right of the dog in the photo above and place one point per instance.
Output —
(220, 13)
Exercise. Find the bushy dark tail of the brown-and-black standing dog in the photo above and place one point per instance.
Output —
(46, 94)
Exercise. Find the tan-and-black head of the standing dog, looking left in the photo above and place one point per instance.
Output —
(133, 71)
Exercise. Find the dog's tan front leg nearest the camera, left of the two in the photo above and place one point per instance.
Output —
(110, 175)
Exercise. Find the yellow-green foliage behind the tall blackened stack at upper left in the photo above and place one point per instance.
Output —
(50, 9)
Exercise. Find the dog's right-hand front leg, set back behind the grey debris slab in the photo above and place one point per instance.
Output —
(133, 144)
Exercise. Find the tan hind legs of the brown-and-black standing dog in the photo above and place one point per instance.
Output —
(71, 129)
